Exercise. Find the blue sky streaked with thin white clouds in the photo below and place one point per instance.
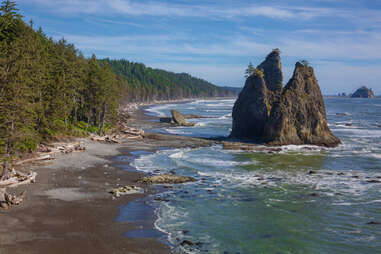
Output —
(215, 40)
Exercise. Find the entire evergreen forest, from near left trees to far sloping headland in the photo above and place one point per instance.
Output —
(48, 88)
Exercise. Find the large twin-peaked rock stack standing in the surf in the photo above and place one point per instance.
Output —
(266, 111)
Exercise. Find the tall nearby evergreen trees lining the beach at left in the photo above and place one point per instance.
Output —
(47, 87)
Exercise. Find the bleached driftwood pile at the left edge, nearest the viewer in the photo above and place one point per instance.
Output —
(11, 178)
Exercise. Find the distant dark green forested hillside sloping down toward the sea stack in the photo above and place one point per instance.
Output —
(147, 84)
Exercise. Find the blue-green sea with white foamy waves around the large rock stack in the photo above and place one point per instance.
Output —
(253, 202)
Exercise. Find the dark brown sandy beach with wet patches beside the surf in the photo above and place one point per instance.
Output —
(69, 209)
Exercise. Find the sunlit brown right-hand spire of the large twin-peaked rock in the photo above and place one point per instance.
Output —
(300, 117)
